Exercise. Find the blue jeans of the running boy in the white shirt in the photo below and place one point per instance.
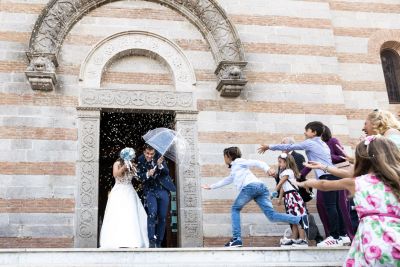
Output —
(259, 192)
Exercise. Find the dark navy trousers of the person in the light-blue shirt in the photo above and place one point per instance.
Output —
(332, 206)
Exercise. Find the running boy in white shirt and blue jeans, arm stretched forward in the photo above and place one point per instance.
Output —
(250, 188)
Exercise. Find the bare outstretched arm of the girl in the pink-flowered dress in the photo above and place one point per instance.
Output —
(325, 185)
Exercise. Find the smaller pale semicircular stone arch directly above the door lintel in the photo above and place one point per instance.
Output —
(131, 41)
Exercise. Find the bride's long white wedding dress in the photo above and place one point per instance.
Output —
(125, 220)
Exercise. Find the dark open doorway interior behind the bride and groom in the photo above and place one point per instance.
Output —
(125, 129)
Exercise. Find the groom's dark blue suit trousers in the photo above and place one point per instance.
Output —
(157, 201)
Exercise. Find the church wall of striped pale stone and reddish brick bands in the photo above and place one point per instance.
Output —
(299, 53)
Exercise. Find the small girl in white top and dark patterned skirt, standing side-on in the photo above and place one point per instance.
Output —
(293, 202)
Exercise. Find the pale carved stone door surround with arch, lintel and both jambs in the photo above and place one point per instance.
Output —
(93, 99)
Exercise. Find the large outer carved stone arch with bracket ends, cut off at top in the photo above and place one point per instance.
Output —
(58, 17)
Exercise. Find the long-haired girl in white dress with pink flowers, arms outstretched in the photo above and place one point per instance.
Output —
(376, 191)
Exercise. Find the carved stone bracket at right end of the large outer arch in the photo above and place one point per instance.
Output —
(231, 79)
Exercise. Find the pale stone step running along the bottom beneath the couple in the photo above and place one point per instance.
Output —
(173, 257)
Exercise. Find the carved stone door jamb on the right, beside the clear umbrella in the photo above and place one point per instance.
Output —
(190, 224)
